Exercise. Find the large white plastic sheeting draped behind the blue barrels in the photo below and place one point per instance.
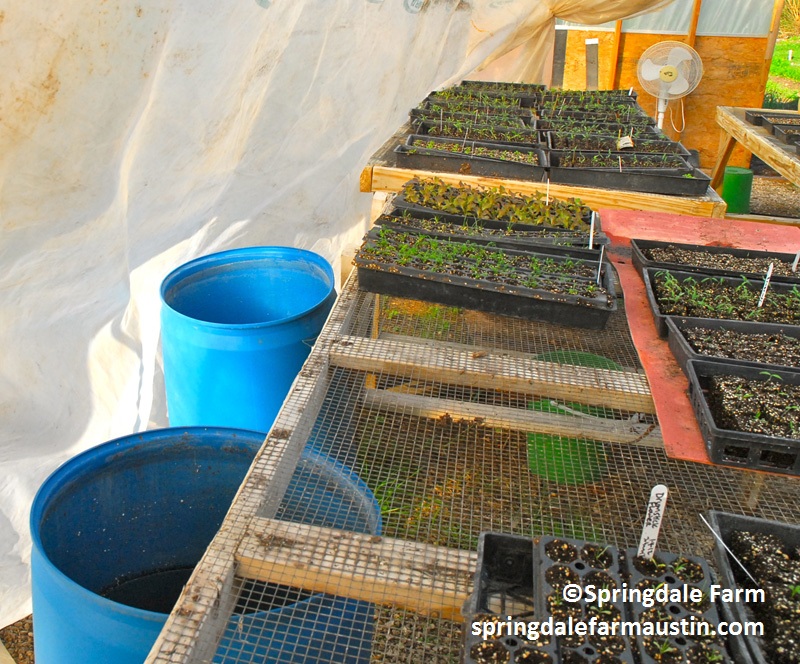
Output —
(137, 135)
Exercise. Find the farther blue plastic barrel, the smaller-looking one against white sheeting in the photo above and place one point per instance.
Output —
(236, 327)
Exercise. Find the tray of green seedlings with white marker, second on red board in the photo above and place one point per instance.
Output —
(695, 295)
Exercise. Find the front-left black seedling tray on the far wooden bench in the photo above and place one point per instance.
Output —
(458, 156)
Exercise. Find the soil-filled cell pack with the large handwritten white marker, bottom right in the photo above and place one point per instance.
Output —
(676, 572)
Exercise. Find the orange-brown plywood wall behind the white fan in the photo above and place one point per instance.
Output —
(735, 73)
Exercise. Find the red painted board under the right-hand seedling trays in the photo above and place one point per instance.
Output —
(668, 385)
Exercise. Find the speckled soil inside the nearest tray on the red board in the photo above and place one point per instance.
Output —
(769, 407)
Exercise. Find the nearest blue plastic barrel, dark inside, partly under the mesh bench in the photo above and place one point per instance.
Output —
(117, 530)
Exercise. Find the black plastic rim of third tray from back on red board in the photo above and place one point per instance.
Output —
(683, 351)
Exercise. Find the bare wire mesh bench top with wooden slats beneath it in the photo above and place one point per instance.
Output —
(428, 460)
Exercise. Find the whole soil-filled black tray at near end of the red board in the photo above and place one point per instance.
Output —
(749, 417)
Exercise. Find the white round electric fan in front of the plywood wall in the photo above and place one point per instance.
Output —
(669, 70)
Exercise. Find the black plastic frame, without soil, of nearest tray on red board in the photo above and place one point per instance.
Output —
(741, 449)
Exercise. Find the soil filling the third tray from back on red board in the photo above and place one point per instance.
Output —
(778, 349)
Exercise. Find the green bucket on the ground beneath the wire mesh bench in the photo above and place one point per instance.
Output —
(561, 459)
